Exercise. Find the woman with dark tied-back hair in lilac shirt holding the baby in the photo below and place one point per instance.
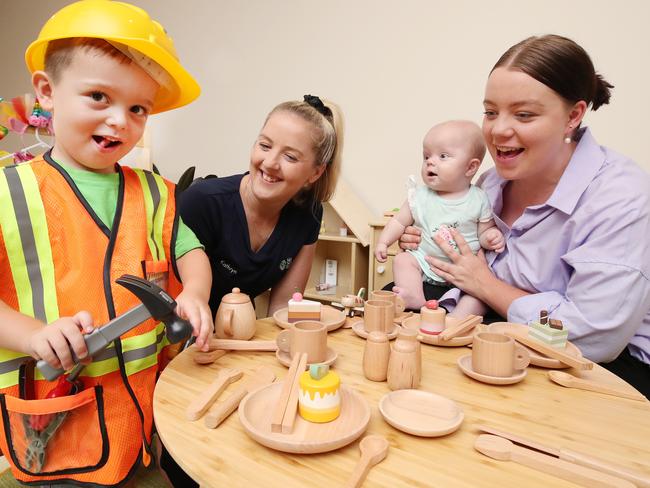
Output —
(576, 215)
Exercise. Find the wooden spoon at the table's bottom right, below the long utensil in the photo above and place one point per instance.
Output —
(504, 450)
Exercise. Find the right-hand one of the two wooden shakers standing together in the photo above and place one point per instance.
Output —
(404, 365)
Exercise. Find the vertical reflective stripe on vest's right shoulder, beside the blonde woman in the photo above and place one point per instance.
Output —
(155, 201)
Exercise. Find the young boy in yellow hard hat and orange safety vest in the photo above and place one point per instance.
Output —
(71, 222)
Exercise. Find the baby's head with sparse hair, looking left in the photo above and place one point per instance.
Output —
(446, 159)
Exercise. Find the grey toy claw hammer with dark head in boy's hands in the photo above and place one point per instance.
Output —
(156, 304)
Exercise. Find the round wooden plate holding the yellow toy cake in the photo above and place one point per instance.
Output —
(307, 437)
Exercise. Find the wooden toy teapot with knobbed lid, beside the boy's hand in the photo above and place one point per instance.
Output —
(235, 317)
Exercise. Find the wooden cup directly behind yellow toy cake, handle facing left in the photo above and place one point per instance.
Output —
(305, 336)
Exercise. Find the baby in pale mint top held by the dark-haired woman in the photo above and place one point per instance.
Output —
(453, 152)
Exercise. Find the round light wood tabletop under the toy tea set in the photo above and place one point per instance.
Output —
(614, 429)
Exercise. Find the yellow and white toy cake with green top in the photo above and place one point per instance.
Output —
(319, 399)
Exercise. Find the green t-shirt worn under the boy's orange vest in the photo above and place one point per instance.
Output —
(100, 191)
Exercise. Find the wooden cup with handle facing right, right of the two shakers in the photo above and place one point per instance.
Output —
(497, 355)
